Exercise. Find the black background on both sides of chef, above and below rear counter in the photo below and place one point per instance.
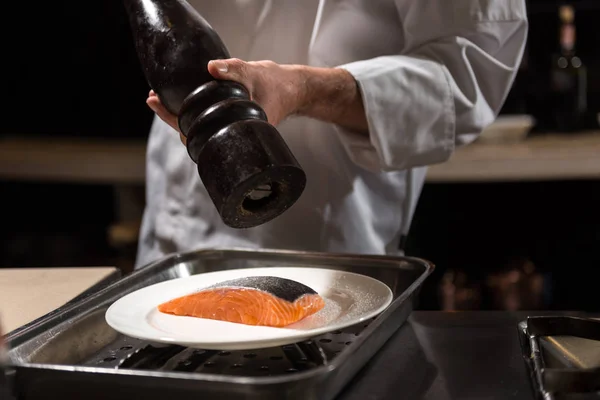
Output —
(69, 68)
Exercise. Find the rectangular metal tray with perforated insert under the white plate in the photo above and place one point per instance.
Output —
(74, 354)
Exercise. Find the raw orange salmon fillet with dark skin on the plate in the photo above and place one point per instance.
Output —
(256, 300)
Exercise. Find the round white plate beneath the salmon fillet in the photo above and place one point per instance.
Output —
(349, 299)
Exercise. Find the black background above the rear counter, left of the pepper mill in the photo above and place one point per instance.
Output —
(70, 68)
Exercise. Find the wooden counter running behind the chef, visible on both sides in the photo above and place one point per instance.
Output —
(547, 157)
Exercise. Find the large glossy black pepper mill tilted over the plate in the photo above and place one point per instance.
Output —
(244, 163)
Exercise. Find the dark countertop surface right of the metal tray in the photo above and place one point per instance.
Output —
(448, 356)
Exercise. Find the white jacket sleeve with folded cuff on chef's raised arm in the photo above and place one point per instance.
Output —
(459, 62)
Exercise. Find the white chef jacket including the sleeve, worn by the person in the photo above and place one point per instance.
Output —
(432, 74)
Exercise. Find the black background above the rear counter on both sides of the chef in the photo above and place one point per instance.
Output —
(70, 67)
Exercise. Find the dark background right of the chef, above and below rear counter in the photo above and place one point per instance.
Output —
(519, 245)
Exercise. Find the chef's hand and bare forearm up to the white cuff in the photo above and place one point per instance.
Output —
(326, 94)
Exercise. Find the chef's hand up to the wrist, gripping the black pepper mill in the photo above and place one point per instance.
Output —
(276, 88)
